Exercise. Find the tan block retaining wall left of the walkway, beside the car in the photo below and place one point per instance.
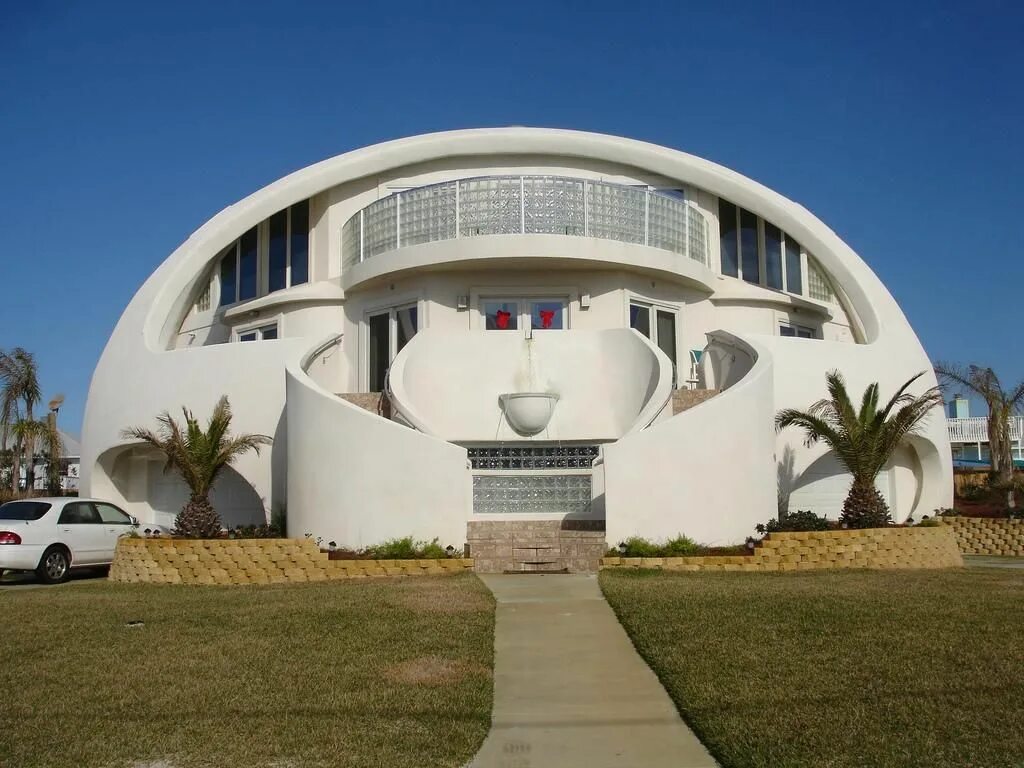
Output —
(253, 562)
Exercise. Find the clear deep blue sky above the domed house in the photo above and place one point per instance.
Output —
(125, 126)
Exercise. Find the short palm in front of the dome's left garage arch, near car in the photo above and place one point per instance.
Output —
(199, 456)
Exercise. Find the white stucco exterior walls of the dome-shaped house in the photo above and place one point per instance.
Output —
(684, 468)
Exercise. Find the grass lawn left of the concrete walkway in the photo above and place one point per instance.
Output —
(369, 673)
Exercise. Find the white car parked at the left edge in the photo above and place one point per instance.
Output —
(54, 536)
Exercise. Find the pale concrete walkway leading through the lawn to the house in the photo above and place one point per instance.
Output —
(570, 689)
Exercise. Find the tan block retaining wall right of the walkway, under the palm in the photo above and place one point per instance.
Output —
(875, 548)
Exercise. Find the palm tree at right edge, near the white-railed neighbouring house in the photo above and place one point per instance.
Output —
(1003, 405)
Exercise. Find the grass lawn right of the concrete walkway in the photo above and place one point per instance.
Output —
(838, 669)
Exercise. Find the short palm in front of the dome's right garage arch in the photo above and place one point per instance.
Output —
(864, 441)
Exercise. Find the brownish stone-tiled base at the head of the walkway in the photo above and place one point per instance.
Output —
(529, 546)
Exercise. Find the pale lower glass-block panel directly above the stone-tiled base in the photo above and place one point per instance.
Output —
(532, 494)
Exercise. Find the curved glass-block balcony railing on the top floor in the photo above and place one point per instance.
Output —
(525, 205)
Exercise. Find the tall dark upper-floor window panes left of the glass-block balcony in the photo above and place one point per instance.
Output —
(272, 257)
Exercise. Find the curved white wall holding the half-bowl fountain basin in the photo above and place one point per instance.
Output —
(609, 382)
